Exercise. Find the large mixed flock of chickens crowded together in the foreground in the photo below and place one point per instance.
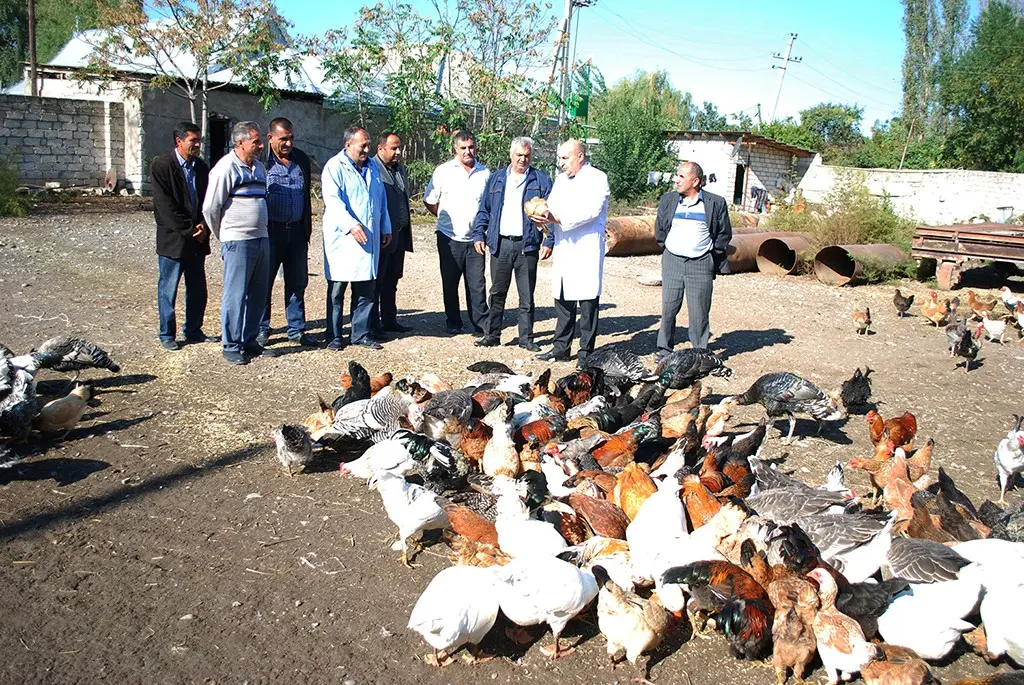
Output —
(624, 486)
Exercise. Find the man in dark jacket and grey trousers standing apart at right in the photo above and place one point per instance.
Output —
(694, 230)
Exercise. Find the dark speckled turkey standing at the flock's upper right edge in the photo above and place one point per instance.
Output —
(786, 395)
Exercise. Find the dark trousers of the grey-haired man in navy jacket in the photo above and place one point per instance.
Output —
(508, 261)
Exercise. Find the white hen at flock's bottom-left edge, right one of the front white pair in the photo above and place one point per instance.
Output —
(544, 590)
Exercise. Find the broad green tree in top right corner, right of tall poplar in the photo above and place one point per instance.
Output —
(984, 92)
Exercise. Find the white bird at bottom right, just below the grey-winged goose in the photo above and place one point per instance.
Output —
(929, 618)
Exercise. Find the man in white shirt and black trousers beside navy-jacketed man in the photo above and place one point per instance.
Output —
(454, 196)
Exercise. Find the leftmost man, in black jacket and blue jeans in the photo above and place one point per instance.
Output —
(180, 181)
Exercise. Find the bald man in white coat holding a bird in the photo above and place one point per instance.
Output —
(578, 209)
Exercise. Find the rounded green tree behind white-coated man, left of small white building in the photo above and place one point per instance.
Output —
(633, 144)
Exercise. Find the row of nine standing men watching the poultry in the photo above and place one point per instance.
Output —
(258, 204)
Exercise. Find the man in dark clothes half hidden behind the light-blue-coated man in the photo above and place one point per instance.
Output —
(385, 317)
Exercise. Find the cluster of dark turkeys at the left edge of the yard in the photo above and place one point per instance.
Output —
(23, 411)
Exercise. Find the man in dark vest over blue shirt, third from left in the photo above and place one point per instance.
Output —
(290, 225)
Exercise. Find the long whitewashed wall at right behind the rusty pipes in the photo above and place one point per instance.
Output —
(936, 197)
